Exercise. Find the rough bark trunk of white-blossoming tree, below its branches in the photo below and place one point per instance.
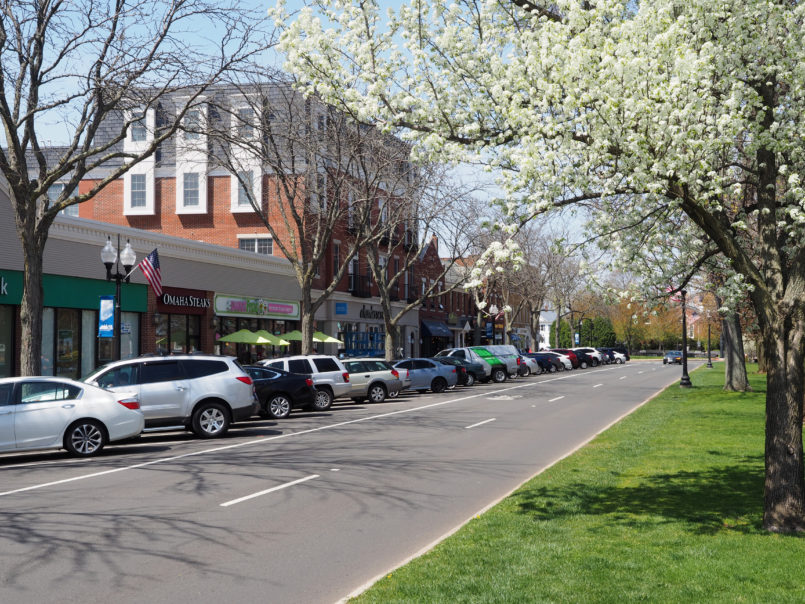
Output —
(784, 490)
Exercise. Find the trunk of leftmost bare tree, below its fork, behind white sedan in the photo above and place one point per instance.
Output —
(31, 309)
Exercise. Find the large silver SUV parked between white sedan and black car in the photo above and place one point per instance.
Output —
(204, 393)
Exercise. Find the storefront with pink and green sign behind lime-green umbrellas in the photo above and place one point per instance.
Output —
(234, 312)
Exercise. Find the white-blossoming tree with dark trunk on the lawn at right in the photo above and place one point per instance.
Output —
(650, 110)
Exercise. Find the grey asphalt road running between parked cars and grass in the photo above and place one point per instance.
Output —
(304, 510)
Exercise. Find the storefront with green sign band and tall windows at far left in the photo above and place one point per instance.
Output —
(70, 343)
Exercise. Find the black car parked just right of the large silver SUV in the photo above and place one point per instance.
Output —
(279, 391)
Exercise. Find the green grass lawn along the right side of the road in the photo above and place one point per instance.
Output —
(663, 507)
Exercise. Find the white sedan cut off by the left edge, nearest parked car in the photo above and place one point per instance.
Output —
(55, 413)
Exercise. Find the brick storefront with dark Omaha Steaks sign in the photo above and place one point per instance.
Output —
(179, 321)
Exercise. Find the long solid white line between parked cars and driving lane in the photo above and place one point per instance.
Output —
(263, 440)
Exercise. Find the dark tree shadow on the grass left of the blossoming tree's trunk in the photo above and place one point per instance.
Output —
(726, 498)
